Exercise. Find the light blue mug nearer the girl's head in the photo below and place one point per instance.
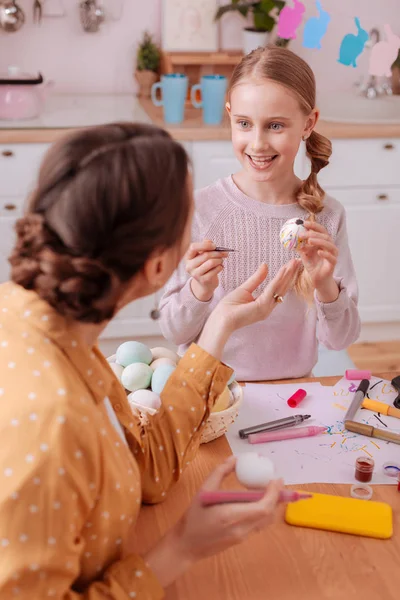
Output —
(213, 92)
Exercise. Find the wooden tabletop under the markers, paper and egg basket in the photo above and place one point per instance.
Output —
(282, 562)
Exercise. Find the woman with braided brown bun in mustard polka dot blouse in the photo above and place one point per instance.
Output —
(108, 222)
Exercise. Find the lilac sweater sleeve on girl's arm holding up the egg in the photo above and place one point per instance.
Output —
(339, 321)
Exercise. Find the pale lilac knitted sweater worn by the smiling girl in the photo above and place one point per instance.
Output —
(285, 345)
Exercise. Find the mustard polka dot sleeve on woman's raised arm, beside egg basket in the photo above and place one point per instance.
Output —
(165, 446)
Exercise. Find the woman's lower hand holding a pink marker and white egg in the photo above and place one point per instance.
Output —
(204, 531)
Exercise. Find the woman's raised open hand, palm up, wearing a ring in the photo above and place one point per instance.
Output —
(240, 308)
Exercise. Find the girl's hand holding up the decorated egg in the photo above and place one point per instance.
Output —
(319, 258)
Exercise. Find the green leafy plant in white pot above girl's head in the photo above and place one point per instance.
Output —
(264, 15)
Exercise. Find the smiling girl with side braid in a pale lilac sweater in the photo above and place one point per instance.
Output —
(272, 109)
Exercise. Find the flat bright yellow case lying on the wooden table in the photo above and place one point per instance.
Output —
(347, 515)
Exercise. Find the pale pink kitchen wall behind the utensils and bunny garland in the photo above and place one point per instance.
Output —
(103, 62)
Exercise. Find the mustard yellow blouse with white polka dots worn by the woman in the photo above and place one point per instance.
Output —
(75, 464)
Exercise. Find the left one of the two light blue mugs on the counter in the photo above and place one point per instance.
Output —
(173, 88)
